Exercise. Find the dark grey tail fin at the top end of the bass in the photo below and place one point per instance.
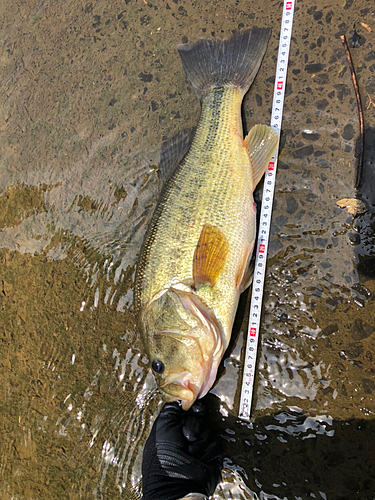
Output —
(216, 63)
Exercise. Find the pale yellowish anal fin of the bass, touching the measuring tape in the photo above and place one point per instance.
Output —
(260, 143)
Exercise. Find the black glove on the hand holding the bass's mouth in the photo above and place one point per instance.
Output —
(180, 455)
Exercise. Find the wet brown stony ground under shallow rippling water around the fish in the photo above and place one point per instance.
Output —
(89, 92)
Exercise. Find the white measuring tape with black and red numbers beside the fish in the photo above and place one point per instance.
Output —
(265, 216)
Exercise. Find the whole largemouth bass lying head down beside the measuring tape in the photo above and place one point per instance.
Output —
(194, 262)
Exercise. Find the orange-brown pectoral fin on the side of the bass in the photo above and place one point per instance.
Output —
(210, 256)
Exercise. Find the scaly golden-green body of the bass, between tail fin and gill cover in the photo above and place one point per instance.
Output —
(213, 184)
